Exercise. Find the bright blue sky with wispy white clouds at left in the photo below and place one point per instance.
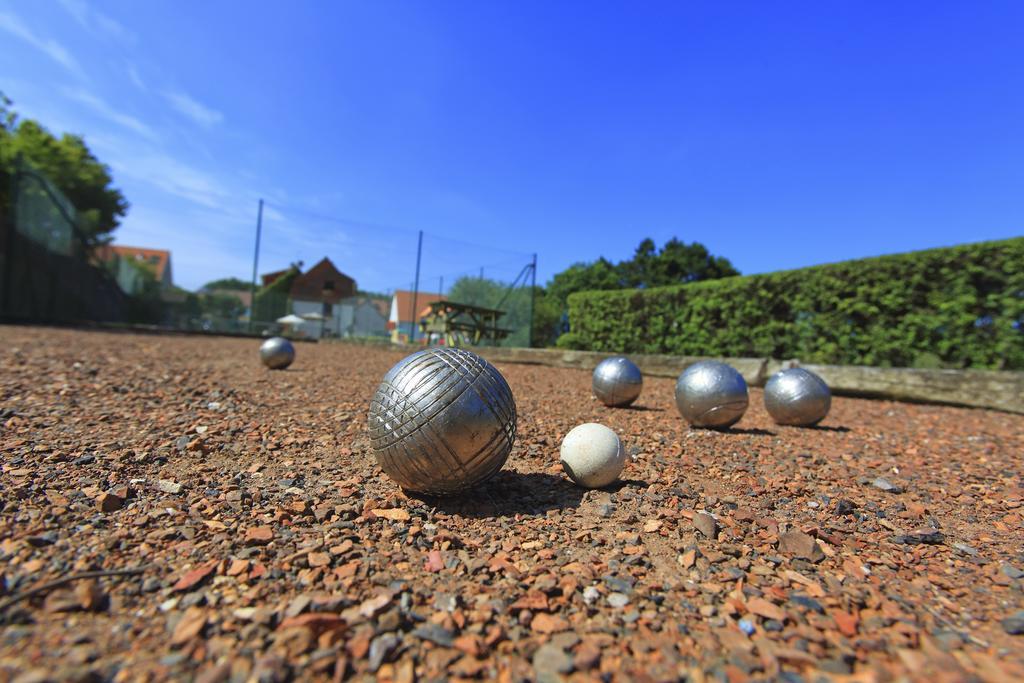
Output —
(779, 135)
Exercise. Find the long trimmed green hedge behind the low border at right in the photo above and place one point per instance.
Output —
(956, 308)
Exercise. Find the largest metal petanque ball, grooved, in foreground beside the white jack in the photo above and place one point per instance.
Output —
(443, 420)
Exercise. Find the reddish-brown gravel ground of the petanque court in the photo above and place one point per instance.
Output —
(884, 545)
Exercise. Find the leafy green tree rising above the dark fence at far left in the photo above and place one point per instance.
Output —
(70, 164)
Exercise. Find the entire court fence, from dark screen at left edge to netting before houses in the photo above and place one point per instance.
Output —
(315, 277)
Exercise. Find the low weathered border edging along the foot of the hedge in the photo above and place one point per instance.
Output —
(973, 389)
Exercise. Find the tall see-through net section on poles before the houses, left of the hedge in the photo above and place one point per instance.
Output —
(325, 277)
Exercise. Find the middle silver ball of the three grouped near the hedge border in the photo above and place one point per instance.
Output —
(713, 395)
